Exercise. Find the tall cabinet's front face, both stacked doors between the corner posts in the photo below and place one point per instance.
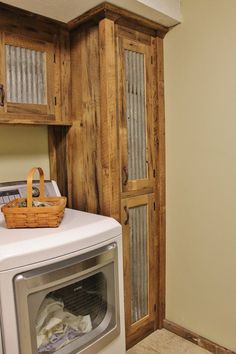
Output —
(138, 130)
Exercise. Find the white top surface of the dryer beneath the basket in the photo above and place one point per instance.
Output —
(77, 231)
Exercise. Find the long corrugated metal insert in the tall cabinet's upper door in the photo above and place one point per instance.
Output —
(135, 113)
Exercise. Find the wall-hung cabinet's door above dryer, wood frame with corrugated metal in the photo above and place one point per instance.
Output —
(27, 78)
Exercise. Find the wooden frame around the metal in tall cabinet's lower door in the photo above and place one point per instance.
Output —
(132, 329)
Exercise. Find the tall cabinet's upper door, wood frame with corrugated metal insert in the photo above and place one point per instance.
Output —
(136, 111)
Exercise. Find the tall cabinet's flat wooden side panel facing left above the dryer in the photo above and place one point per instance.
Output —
(84, 136)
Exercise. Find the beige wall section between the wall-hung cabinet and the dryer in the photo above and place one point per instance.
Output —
(22, 147)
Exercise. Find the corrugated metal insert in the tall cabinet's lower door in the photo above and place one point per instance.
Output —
(139, 262)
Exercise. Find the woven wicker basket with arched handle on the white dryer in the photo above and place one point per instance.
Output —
(43, 216)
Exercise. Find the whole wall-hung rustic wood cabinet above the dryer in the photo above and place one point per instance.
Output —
(34, 69)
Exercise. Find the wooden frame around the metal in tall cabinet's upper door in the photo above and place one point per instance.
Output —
(145, 49)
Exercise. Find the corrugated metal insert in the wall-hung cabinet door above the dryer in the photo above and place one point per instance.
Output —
(25, 75)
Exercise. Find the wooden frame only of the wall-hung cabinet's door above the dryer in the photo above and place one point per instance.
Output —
(29, 110)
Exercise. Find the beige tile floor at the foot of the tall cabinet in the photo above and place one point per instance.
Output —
(164, 342)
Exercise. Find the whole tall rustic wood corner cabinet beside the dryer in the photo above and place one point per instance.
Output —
(116, 147)
